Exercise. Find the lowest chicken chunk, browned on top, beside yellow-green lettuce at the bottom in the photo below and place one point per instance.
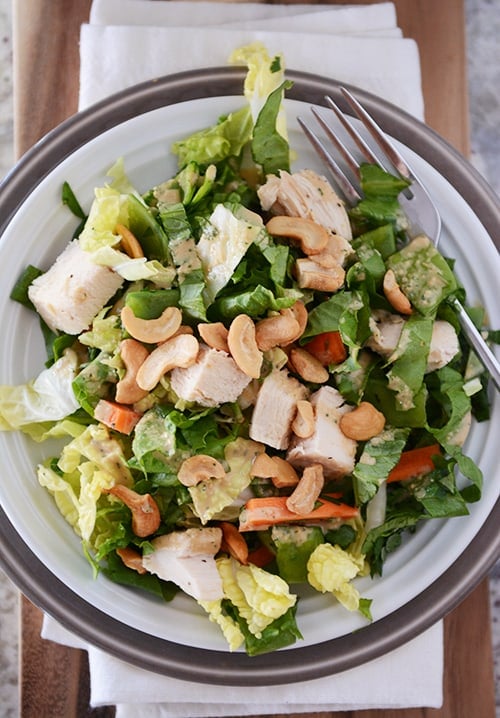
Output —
(187, 559)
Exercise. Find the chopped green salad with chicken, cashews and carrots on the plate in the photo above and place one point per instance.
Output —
(256, 387)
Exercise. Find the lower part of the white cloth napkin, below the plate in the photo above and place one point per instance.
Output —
(410, 676)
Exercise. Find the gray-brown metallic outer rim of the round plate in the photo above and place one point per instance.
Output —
(45, 590)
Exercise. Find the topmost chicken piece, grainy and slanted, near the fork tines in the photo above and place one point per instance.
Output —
(306, 194)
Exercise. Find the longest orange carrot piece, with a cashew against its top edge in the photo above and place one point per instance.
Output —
(260, 513)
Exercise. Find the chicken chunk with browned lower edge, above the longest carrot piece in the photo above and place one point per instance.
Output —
(327, 446)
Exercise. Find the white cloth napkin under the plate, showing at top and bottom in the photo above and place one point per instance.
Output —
(128, 41)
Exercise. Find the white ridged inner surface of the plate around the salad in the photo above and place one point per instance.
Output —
(36, 234)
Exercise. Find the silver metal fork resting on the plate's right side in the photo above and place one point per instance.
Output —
(421, 212)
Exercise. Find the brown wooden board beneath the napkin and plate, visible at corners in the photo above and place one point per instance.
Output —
(54, 679)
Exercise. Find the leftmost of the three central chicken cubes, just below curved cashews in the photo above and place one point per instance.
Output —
(212, 380)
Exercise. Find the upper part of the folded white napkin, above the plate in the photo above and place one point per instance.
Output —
(360, 45)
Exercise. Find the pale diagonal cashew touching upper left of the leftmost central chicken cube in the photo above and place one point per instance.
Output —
(179, 351)
